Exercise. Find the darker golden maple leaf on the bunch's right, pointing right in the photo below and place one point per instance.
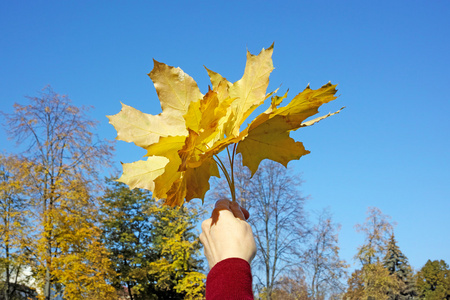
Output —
(269, 132)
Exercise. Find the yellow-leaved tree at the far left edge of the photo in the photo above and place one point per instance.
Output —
(14, 257)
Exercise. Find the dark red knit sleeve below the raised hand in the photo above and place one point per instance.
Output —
(230, 279)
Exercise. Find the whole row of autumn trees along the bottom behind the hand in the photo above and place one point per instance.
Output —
(68, 233)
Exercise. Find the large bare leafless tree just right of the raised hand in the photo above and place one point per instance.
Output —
(276, 215)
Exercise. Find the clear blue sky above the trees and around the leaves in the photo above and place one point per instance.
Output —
(389, 148)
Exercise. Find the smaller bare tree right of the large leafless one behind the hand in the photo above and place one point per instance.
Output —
(321, 261)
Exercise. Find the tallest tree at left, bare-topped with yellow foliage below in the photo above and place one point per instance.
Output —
(58, 137)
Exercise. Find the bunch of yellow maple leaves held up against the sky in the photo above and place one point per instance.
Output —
(183, 141)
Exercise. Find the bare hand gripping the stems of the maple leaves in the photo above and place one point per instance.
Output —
(226, 234)
